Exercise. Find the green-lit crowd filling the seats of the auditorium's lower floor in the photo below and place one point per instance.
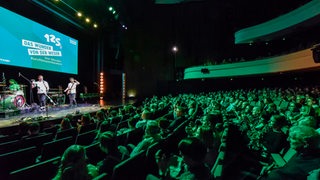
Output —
(269, 120)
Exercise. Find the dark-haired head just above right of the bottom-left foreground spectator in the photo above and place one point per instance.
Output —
(108, 142)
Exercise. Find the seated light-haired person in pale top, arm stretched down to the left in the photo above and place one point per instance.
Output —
(151, 136)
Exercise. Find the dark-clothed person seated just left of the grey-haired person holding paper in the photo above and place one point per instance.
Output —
(274, 140)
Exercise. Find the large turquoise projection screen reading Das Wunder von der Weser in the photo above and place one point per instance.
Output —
(26, 43)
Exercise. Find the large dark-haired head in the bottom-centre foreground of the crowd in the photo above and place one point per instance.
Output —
(192, 150)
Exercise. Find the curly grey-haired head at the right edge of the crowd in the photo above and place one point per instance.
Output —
(303, 137)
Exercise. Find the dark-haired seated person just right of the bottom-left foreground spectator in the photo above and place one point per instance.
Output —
(113, 156)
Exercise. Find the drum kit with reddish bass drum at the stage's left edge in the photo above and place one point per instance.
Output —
(12, 99)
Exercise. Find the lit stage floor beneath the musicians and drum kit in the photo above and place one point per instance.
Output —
(52, 113)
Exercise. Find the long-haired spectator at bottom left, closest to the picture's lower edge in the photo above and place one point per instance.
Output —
(73, 165)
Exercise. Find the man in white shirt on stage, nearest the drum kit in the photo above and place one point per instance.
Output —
(43, 89)
